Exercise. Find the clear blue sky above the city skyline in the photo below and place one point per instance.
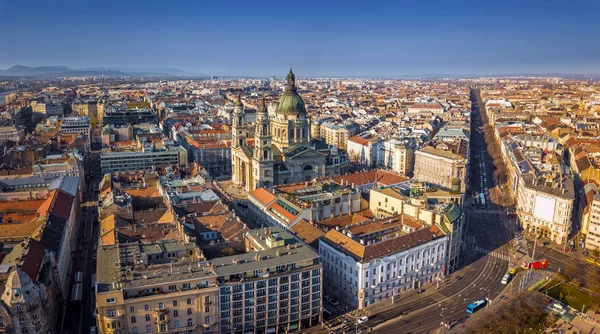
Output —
(354, 38)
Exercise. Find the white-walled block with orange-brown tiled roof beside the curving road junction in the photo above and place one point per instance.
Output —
(366, 263)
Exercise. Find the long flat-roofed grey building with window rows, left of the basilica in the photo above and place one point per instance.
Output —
(147, 158)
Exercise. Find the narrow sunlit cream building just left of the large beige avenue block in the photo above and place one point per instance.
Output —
(399, 156)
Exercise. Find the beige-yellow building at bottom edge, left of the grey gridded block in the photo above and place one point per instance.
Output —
(163, 287)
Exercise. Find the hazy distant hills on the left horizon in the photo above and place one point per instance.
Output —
(60, 71)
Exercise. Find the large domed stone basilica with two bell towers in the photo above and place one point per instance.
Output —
(283, 150)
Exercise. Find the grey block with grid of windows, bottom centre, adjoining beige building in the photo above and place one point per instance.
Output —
(275, 287)
